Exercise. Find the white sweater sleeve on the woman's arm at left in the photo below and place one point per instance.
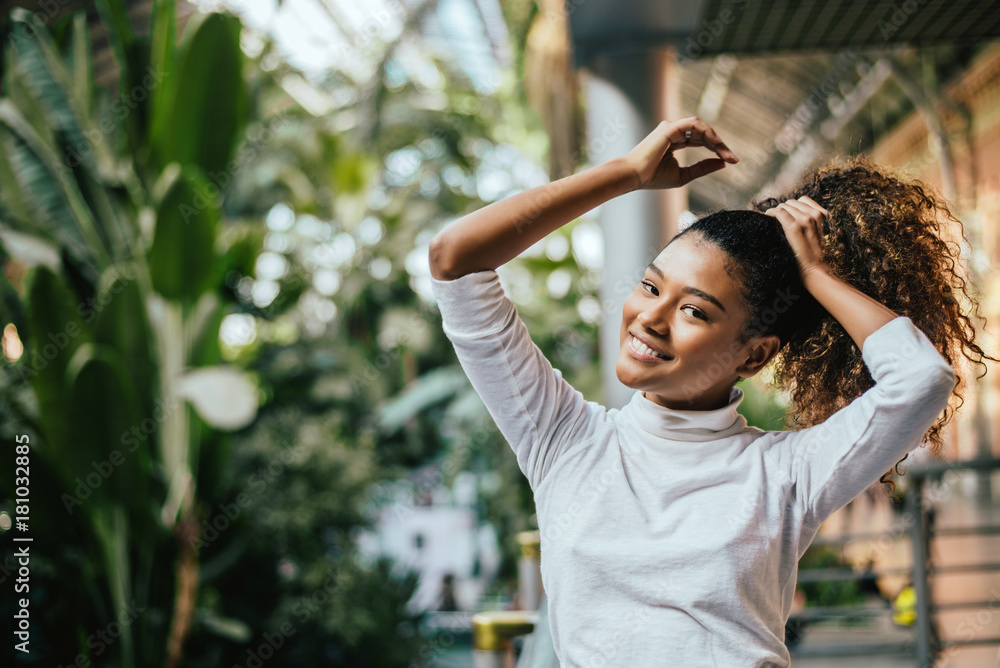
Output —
(536, 409)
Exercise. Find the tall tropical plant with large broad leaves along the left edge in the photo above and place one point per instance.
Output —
(114, 263)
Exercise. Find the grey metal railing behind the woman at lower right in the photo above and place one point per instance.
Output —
(927, 646)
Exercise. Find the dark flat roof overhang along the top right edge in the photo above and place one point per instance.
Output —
(711, 27)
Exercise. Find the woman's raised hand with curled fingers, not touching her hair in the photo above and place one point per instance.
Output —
(653, 159)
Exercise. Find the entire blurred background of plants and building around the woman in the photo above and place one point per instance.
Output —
(248, 441)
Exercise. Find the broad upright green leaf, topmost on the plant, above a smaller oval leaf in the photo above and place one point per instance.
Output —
(202, 111)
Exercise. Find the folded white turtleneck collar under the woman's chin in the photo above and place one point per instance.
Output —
(681, 425)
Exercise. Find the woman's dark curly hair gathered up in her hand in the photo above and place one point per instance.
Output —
(890, 238)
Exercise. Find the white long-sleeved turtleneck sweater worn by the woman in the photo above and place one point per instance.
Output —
(672, 537)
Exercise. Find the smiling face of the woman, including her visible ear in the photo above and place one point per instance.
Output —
(688, 308)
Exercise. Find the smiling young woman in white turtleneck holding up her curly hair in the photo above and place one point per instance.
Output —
(671, 530)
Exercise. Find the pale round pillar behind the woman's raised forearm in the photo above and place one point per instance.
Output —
(626, 96)
